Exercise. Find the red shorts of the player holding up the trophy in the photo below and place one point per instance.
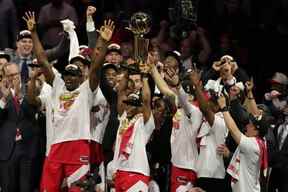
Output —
(125, 181)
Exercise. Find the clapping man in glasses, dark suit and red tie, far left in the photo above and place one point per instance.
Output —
(18, 134)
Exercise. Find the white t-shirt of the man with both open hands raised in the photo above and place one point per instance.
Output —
(67, 113)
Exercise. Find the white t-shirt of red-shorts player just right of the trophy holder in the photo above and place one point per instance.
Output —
(183, 138)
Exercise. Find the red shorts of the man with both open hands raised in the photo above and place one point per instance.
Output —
(67, 160)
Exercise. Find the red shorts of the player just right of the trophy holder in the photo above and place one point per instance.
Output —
(181, 177)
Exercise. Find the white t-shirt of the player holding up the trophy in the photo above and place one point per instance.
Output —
(137, 160)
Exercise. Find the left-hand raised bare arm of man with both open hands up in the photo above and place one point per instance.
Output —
(38, 48)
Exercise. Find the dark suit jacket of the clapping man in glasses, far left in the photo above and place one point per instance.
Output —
(25, 120)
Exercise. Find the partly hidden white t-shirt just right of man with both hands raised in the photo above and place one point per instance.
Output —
(99, 116)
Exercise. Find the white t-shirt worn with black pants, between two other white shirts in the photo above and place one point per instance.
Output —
(210, 164)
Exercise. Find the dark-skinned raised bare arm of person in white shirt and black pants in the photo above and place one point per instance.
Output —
(203, 103)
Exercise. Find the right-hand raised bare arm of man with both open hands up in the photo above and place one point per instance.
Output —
(105, 35)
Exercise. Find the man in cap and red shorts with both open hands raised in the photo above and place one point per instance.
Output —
(68, 151)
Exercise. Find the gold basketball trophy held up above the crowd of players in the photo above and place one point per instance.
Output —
(140, 24)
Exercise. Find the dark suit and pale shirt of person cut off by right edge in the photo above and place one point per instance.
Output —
(278, 157)
